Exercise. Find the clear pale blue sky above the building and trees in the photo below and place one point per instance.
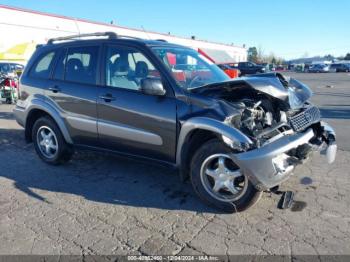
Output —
(287, 28)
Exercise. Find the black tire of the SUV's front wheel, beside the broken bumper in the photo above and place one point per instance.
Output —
(247, 197)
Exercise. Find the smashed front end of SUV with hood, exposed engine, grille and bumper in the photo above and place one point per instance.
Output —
(274, 113)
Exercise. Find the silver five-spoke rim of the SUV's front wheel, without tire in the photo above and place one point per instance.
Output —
(222, 178)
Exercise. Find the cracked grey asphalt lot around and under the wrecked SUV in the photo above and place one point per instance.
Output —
(103, 204)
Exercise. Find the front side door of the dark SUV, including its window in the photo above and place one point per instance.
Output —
(128, 120)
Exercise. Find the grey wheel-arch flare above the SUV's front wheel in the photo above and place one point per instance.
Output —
(204, 123)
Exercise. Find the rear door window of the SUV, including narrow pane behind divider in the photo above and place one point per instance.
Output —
(80, 65)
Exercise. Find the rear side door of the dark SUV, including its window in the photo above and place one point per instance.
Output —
(73, 90)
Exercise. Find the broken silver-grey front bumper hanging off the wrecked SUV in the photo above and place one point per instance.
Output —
(270, 165)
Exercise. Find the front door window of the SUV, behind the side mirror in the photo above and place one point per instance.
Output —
(125, 68)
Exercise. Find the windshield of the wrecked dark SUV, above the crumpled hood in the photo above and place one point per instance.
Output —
(189, 68)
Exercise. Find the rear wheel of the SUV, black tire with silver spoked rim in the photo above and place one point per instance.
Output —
(62, 153)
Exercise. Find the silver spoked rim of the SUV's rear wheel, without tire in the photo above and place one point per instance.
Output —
(47, 142)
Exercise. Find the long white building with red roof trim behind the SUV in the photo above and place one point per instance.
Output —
(21, 29)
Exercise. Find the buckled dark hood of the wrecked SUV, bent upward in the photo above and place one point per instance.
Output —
(276, 85)
